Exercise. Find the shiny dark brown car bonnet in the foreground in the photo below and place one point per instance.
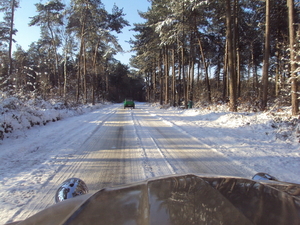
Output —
(181, 199)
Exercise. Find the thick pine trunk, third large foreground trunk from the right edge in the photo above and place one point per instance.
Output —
(231, 69)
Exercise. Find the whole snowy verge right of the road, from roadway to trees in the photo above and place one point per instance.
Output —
(261, 142)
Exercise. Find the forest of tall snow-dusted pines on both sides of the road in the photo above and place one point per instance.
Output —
(215, 51)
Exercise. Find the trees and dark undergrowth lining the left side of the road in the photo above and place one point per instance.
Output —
(74, 56)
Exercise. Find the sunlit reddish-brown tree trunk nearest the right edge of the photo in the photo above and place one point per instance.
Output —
(294, 95)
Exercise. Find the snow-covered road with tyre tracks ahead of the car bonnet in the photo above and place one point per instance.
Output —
(108, 147)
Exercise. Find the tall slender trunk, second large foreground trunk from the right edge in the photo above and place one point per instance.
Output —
(265, 76)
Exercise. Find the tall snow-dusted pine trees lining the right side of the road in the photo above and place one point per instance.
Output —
(220, 50)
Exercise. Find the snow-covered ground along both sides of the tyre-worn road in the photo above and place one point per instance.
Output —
(257, 142)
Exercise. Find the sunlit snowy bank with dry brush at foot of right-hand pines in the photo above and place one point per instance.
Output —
(279, 122)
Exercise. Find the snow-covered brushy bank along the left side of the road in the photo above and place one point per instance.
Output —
(18, 115)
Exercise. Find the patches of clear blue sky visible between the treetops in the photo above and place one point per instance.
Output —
(26, 35)
